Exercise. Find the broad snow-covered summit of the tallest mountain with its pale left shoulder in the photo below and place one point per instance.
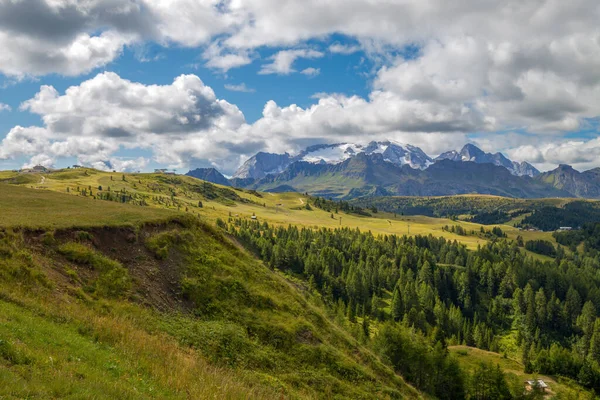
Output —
(263, 164)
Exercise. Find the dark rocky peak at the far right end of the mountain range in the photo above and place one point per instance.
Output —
(580, 184)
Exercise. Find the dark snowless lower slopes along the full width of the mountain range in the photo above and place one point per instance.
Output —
(365, 174)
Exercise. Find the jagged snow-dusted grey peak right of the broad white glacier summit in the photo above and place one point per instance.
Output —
(474, 154)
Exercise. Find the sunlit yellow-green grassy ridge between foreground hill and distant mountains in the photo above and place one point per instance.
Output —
(184, 193)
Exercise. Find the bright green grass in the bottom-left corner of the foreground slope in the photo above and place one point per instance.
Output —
(50, 354)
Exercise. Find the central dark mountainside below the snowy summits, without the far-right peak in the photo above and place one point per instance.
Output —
(371, 175)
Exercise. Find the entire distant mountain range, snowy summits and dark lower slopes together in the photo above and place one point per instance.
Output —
(346, 171)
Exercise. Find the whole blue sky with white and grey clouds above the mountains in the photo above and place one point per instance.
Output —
(134, 85)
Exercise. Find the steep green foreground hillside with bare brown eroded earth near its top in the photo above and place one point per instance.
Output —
(163, 306)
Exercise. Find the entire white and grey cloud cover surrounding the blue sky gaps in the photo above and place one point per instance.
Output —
(483, 67)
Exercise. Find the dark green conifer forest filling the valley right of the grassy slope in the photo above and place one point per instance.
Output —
(424, 293)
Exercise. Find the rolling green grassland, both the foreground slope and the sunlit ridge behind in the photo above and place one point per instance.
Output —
(134, 265)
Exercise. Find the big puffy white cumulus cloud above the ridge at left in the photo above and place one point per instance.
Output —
(179, 123)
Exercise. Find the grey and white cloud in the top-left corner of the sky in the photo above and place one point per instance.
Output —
(71, 37)
